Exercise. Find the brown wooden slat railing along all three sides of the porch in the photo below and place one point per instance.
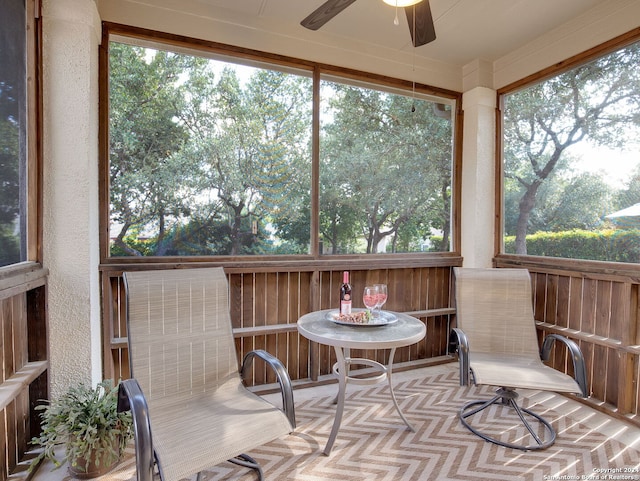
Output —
(594, 304)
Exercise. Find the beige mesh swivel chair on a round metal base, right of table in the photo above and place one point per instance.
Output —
(498, 346)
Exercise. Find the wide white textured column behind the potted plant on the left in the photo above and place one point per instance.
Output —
(71, 31)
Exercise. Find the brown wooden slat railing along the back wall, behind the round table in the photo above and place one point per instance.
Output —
(267, 300)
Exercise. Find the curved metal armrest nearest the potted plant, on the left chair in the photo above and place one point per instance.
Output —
(131, 398)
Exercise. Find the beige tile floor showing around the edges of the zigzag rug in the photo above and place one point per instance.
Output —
(611, 427)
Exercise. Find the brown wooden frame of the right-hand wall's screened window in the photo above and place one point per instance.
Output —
(575, 61)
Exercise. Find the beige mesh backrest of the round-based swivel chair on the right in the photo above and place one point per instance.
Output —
(494, 309)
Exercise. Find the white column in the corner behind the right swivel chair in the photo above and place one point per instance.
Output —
(478, 174)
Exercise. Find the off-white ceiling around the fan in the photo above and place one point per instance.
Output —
(466, 29)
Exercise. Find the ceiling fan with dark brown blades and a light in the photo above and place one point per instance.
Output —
(418, 16)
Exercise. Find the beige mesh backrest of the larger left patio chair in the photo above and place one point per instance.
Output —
(179, 329)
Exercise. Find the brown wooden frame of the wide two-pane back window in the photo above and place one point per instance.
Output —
(176, 43)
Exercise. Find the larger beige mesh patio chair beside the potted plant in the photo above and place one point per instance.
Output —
(190, 408)
